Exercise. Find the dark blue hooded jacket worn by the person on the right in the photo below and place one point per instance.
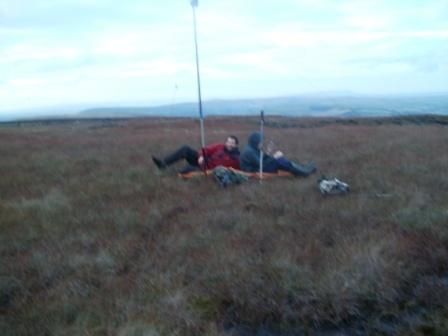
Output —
(250, 157)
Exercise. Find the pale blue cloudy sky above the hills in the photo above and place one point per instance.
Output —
(141, 52)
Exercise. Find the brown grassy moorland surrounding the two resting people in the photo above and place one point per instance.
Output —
(95, 241)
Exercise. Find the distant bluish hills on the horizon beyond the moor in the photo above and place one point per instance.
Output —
(342, 106)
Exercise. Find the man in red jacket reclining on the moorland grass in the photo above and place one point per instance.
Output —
(226, 155)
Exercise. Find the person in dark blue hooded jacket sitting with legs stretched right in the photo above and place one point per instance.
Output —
(250, 160)
